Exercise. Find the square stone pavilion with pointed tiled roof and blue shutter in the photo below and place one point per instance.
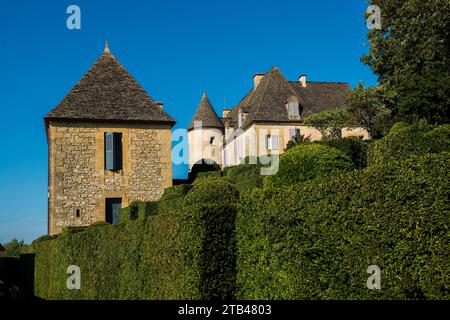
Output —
(109, 143)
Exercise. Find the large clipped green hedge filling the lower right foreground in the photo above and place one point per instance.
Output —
(316, 240)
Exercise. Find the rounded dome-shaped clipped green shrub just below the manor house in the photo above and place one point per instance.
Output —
(311, 161)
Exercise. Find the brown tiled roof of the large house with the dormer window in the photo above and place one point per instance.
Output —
(267, 103)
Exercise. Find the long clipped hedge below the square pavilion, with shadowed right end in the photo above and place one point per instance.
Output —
(172, 253)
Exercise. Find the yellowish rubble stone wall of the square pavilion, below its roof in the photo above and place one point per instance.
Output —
(78, 181)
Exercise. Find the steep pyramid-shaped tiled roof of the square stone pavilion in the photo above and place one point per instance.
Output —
(107, 92)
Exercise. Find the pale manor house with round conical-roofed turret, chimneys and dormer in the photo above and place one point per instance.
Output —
(265, 119)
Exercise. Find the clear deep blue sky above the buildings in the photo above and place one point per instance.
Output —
(174, 49)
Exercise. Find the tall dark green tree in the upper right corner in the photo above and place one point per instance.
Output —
(410, 53)
